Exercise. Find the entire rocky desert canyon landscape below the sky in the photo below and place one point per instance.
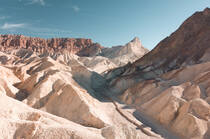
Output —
(75, 88)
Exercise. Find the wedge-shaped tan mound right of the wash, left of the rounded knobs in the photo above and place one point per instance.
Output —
(164, 107)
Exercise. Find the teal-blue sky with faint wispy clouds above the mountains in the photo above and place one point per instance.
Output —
(108, 22)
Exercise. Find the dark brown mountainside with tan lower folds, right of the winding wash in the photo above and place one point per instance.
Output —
(170, 84)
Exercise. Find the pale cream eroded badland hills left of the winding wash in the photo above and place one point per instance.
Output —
(65, 88)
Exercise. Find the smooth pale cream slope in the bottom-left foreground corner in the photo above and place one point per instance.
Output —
(21, 121)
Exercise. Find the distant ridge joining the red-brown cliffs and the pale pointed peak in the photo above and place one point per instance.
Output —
(92, 55)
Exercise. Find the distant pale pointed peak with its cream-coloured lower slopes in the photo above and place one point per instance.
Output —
(110, 58)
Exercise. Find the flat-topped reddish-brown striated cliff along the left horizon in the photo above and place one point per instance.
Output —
(54, 45)
